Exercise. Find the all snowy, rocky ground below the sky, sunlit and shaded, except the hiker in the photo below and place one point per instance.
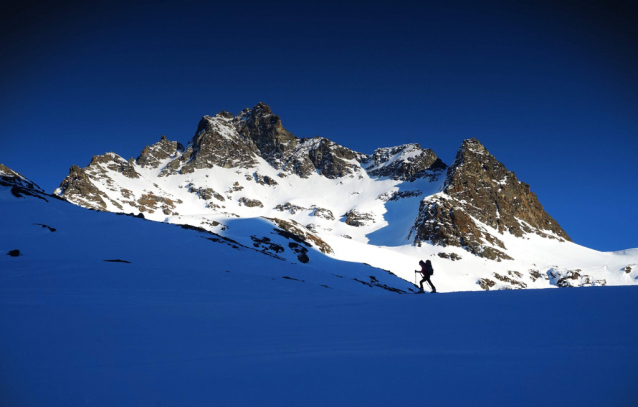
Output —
(265, 277)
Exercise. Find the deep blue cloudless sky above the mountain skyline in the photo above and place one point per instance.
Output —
(550, 88)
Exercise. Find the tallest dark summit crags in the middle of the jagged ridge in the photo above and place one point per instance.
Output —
(229, 141)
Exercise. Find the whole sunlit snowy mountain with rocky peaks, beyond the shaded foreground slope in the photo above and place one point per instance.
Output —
(481, 226)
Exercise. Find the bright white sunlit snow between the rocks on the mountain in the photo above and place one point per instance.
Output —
(384, 235)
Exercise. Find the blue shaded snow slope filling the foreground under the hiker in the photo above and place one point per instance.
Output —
(190, 321)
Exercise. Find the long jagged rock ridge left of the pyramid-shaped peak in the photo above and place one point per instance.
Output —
(229, 141)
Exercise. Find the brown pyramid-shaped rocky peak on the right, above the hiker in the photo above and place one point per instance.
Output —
(478, 192)
